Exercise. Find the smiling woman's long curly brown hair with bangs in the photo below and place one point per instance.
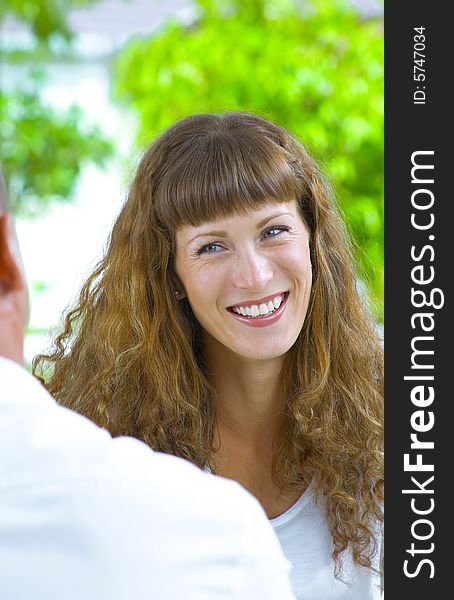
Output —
(129, 356)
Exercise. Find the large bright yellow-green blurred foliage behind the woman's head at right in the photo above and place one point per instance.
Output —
(317, 71)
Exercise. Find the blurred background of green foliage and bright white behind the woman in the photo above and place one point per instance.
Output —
(87, 84)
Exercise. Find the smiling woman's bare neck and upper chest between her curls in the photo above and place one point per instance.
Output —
(250, 409)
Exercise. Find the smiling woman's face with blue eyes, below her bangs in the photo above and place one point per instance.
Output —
(248, 279)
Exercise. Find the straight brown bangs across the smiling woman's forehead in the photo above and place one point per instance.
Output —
(222, 173)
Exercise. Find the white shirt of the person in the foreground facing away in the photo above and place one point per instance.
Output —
(85, 516)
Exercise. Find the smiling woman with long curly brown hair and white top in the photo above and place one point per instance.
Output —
(224, 326)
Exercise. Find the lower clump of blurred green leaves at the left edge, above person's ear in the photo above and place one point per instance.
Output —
(42, 151)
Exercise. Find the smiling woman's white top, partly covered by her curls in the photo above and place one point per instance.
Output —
(304, 536)
